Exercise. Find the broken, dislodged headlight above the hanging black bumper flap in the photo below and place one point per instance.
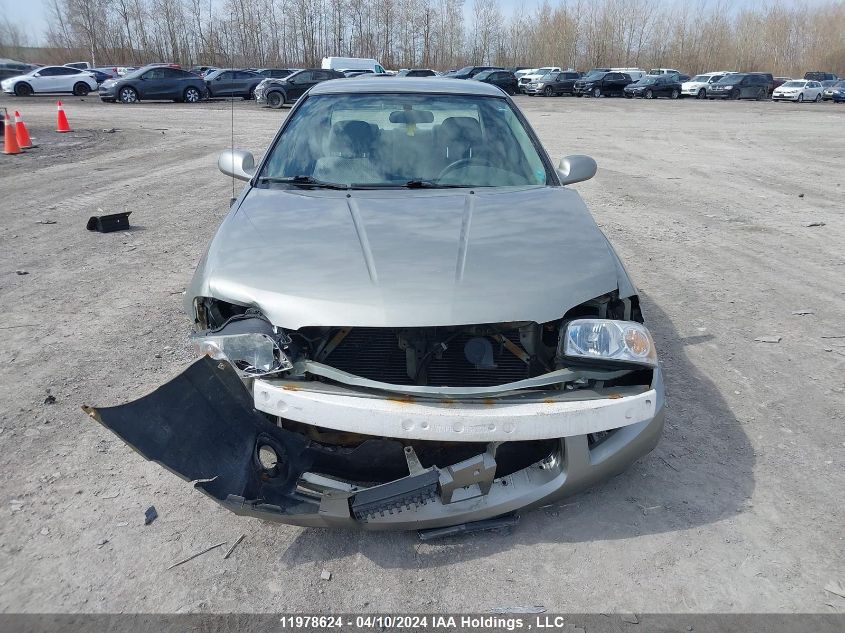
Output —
(253, 354)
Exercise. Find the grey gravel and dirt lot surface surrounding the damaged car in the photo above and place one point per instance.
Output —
(740, 508)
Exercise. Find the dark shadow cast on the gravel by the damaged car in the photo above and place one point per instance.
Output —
(700, 473)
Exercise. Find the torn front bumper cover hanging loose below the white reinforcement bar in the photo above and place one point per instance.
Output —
(203, 426)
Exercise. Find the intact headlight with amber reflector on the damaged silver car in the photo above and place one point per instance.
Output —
(624, 341)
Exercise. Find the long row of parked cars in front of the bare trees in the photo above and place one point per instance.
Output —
(276, 87)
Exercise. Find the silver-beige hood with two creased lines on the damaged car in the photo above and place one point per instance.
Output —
(393, 258)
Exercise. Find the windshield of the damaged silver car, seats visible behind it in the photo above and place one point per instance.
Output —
(404, 140)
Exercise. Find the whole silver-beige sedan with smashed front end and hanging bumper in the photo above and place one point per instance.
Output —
(408, 319)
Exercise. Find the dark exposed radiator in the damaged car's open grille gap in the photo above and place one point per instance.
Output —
(374, 353)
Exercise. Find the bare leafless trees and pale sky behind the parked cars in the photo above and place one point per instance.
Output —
(782, 39)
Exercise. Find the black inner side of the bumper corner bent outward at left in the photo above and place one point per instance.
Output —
(202, 426)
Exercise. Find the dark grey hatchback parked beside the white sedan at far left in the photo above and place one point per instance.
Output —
(157, 82)
